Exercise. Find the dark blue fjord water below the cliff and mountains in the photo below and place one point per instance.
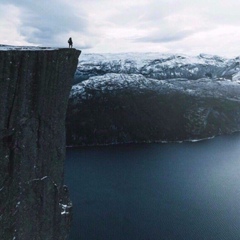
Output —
(156, 191)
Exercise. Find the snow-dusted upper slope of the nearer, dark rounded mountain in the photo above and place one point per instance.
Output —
(112, 81)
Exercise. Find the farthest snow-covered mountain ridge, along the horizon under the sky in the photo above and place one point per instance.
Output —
(157, 66)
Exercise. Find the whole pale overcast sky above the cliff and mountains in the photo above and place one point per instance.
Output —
(166, 26)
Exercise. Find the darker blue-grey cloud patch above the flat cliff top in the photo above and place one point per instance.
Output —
(41, 21)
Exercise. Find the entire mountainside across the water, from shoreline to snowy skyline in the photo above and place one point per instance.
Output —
(153, 97)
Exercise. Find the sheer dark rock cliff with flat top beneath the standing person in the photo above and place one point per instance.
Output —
(34, 90)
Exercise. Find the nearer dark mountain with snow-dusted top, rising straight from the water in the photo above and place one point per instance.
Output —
(123, 108)
